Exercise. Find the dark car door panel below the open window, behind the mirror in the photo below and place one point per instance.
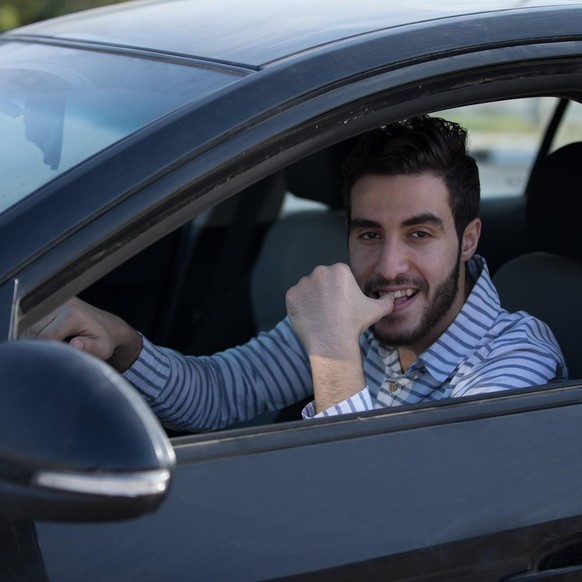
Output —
(475, 489)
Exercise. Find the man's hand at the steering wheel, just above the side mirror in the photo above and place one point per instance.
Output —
(92, 330)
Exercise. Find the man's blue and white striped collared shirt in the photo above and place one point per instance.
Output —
(485, 349)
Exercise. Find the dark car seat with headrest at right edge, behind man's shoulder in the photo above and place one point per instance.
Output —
(547, 280)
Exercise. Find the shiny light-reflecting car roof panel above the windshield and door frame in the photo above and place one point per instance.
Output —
(255, 33)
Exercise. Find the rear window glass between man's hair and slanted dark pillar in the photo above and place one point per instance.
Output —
(504, 139)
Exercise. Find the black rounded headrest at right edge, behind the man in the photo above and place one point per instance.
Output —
(554, 203)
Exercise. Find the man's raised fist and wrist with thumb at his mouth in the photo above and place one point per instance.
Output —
(329, 312)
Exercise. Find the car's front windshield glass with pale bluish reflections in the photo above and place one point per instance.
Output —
(59, 106)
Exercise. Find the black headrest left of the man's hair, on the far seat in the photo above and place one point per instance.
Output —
(318, 176)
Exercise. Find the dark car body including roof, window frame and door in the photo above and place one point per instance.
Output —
(475, 489)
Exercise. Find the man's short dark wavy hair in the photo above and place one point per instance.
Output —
(414, 146)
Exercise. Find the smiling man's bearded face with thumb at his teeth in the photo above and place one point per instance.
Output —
(402, 240)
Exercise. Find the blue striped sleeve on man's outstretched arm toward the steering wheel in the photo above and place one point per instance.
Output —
(211, 392)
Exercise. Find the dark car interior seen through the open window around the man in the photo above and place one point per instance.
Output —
(220, 279)
